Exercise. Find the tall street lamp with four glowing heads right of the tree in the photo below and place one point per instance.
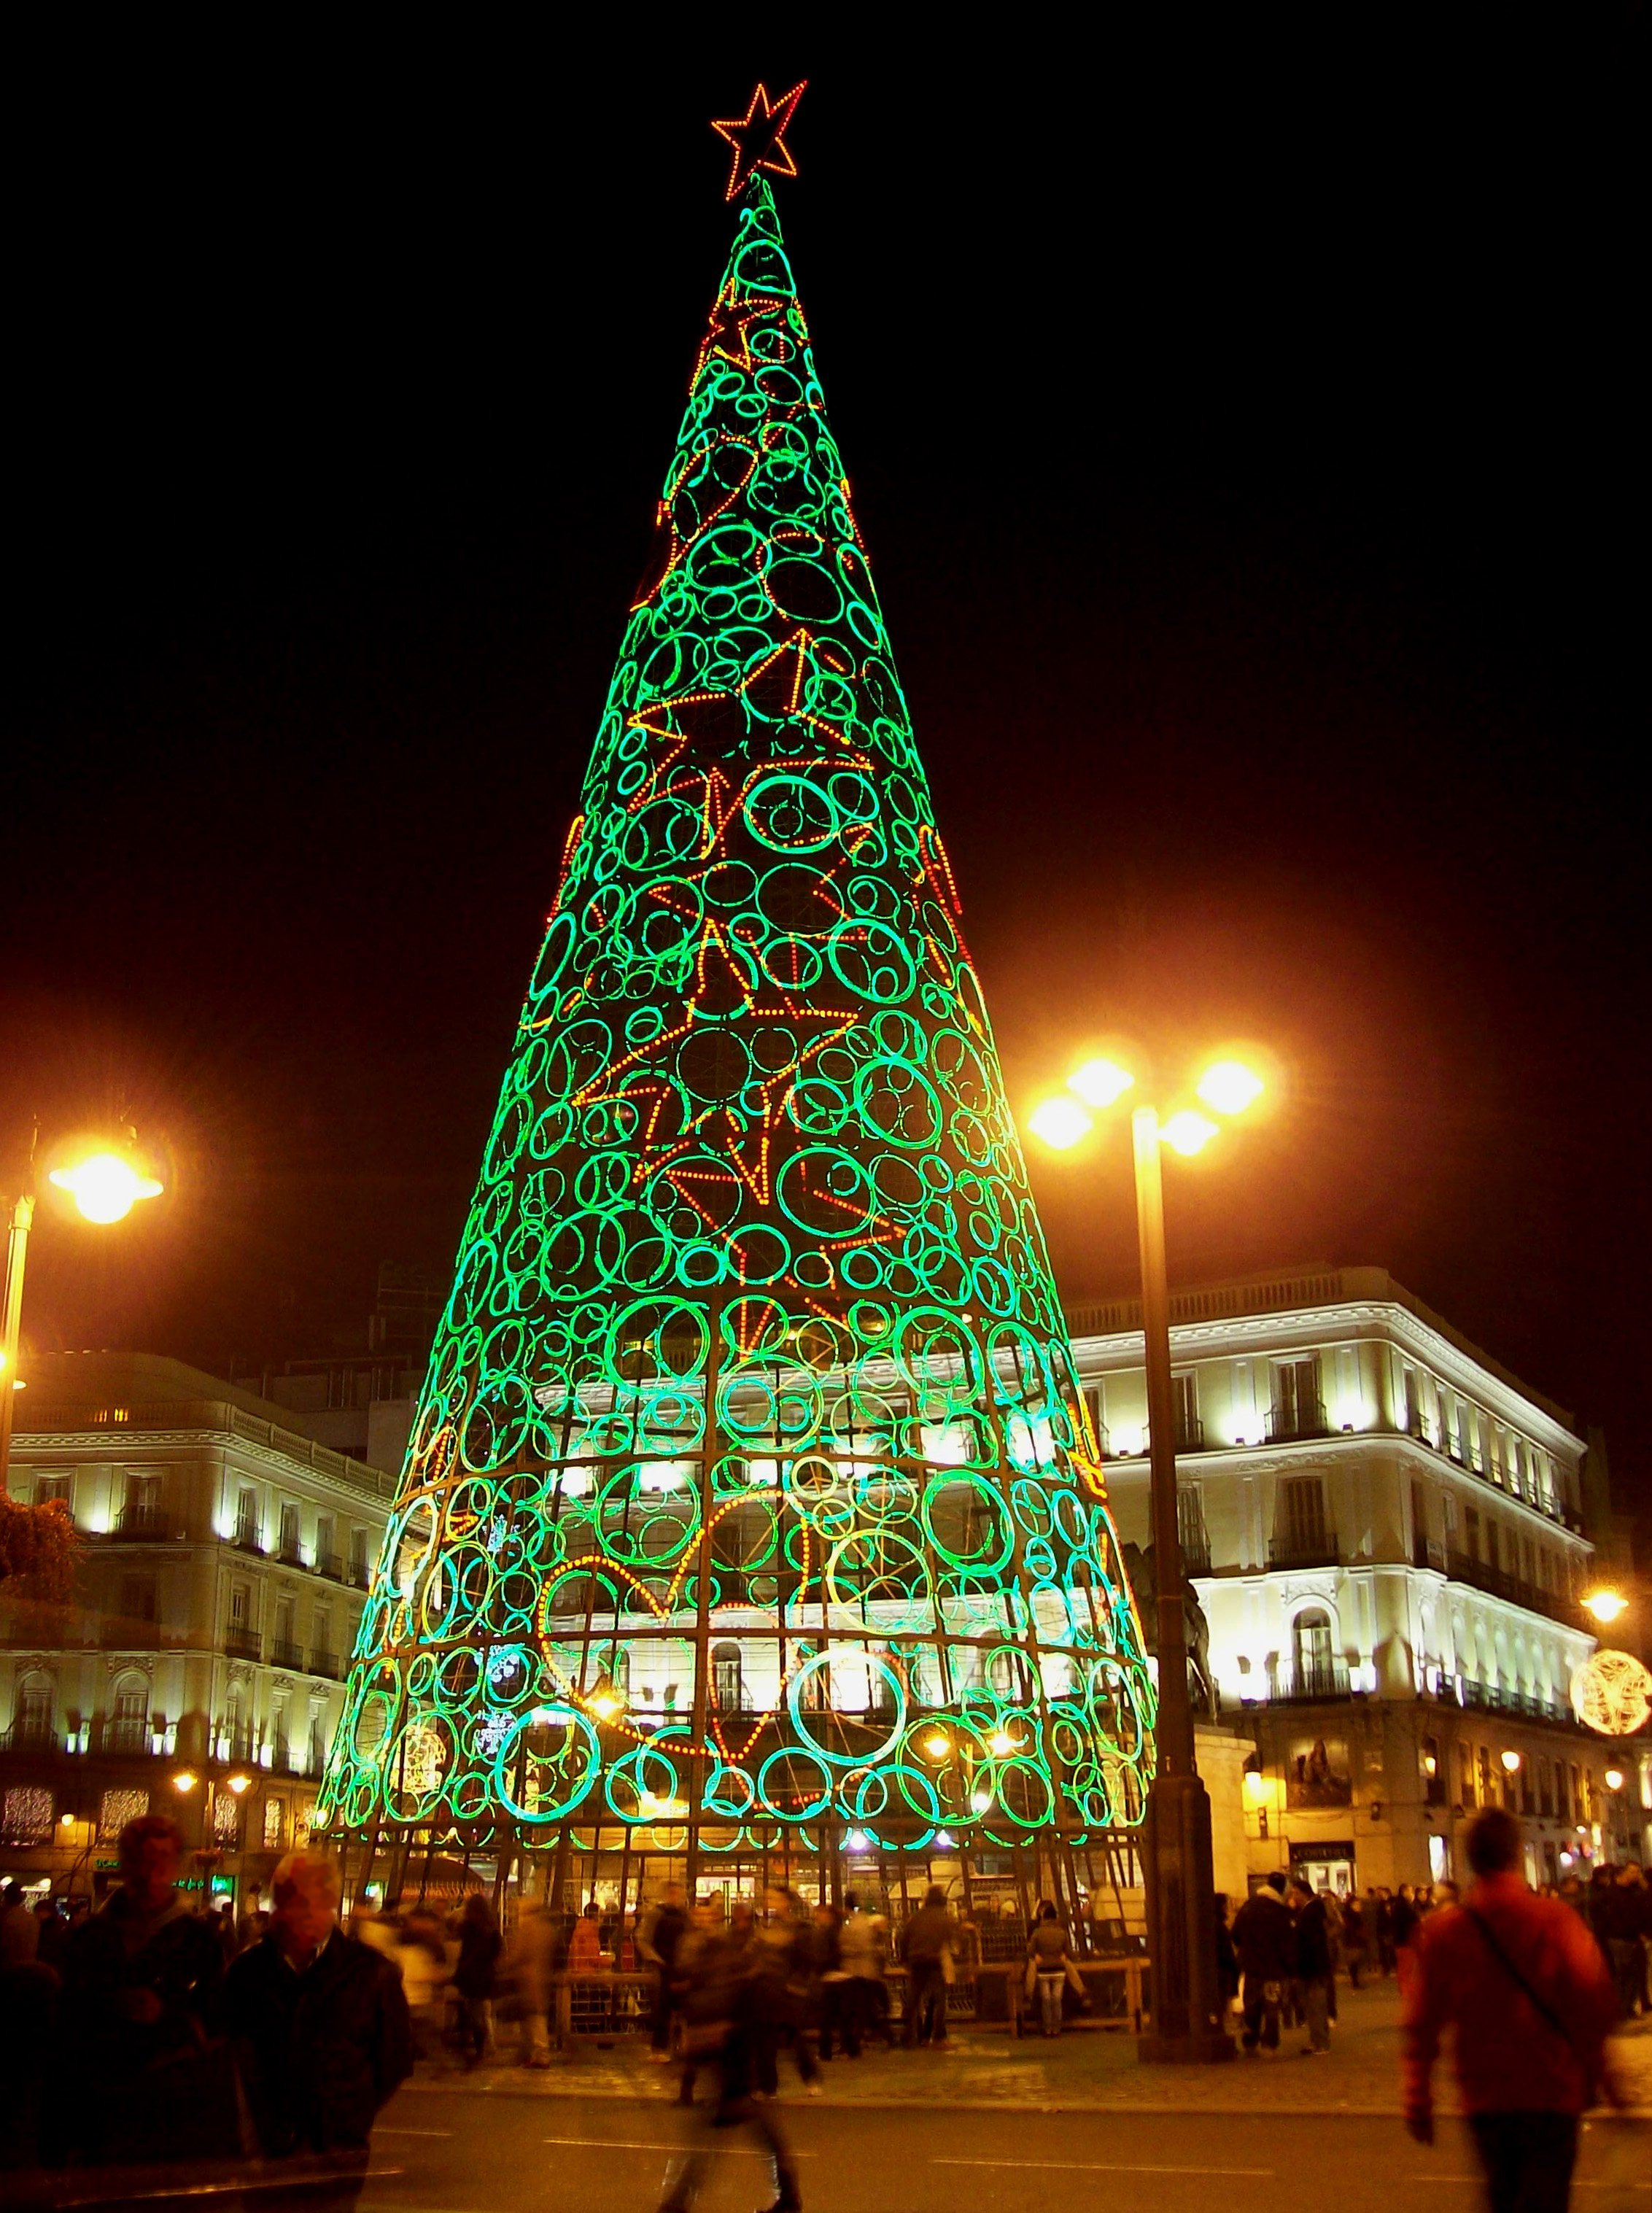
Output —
(1178, 1851)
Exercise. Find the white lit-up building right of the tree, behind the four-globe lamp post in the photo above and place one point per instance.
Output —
(1386, 1537)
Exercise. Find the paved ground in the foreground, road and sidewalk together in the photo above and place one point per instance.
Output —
(992, 2126)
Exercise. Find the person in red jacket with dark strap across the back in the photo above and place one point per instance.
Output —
(1531, 1999)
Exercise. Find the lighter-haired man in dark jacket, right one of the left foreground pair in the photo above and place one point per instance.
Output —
(322, 2026)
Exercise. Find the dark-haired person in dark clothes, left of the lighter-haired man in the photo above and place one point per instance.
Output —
(140, 2015)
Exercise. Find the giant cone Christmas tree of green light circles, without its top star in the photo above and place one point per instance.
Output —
(751, 1502)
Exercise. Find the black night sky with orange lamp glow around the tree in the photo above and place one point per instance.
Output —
(1246, 450)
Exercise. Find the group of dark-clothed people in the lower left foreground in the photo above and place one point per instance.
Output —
(154, 2033)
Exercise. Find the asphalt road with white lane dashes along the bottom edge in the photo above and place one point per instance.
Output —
(490, 2154)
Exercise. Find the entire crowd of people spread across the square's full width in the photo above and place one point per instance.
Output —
(278, 2035)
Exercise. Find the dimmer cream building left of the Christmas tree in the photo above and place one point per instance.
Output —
(200, 1667)
